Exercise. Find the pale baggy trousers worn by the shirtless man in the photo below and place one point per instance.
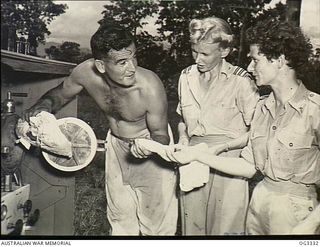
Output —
(141, 193)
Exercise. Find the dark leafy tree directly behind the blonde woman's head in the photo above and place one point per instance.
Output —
(175, 16)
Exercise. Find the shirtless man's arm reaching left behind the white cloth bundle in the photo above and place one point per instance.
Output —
(55, 98)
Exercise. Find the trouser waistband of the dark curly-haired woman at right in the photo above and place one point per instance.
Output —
(288, 187)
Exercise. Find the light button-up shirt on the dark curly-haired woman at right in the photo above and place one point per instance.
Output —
(287, 146)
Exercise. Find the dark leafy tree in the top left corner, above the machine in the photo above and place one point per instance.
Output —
(28, 18)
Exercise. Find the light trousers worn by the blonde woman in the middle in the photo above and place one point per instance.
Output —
(220, 206)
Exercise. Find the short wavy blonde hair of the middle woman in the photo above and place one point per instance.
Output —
(211, 30)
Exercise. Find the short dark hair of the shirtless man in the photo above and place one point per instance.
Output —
(109, 36)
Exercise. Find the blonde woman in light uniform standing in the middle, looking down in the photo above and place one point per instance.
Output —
(216, 105)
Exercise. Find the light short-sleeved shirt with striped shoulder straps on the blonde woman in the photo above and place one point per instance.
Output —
(226, 109)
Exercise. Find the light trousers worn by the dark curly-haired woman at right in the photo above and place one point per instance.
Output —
(277, 207)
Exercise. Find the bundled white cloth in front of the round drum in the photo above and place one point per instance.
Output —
(43, 131)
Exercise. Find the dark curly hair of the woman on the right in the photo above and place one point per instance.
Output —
(275, 37)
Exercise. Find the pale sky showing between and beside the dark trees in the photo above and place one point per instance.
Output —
(80, 21)
